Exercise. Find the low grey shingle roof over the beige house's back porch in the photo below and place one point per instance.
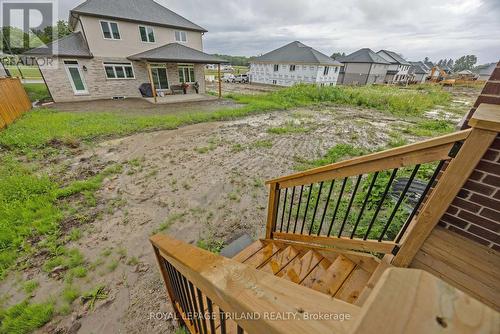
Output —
(176, 52)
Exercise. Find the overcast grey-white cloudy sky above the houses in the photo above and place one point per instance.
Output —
(414, 28)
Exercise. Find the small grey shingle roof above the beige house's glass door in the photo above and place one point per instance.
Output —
(73, 45)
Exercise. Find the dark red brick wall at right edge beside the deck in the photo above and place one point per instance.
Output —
(475, 212)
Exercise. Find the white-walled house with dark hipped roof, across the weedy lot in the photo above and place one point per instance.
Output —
(294, 63)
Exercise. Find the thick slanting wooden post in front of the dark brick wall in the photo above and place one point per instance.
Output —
(485, 124)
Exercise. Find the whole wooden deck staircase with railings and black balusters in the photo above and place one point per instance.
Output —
(339, 240)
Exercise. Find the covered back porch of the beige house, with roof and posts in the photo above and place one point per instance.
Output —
(176, 73)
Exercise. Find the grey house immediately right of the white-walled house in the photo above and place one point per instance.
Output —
(363, 67)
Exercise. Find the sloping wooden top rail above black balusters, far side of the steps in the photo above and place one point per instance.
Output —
(422, 152)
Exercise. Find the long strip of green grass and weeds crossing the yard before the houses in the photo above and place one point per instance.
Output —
(39, 127)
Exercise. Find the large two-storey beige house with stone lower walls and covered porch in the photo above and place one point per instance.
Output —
(118, 45)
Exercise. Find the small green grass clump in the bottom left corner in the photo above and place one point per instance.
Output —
(25, 317)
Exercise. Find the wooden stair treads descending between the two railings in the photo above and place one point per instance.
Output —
(342, 275)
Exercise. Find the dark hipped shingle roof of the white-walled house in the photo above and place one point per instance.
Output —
(299, 53)
